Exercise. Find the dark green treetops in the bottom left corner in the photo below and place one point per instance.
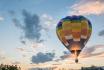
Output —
(9, 67)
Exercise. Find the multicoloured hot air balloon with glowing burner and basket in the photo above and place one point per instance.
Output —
(74, 32)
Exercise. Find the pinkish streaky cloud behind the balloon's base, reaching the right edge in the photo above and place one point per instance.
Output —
(86, 52)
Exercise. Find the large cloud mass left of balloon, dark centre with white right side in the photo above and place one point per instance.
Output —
(32, 25)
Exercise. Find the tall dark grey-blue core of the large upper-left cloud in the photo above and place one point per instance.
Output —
(32, 26)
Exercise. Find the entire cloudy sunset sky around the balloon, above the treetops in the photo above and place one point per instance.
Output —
(28, 31)
